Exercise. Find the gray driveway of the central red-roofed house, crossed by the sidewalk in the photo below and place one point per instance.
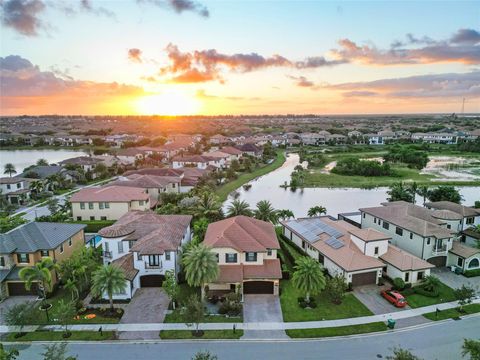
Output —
(262, 308)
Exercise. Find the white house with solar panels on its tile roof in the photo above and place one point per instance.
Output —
(361, 256)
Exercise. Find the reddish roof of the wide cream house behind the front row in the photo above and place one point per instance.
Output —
(113, 193)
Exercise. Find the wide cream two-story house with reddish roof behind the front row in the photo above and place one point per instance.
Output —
(109, 202)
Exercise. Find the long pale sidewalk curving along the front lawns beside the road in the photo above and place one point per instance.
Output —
(250, 325)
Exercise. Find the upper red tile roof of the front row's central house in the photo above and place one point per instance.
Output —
(242, 233)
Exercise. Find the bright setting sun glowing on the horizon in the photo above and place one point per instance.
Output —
(168, 103)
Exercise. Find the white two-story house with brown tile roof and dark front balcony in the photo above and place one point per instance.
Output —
(145, 245)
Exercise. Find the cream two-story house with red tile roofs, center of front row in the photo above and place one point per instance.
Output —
(246, 251)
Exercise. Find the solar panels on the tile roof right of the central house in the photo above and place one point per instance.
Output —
(310, 230)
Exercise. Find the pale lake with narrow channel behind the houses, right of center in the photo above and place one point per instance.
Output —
(336, 200)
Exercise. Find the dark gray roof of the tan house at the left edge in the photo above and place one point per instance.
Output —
(36, 236)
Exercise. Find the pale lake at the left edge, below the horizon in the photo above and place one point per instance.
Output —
(24, 158)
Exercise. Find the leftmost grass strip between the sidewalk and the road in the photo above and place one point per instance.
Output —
(57, 336)
